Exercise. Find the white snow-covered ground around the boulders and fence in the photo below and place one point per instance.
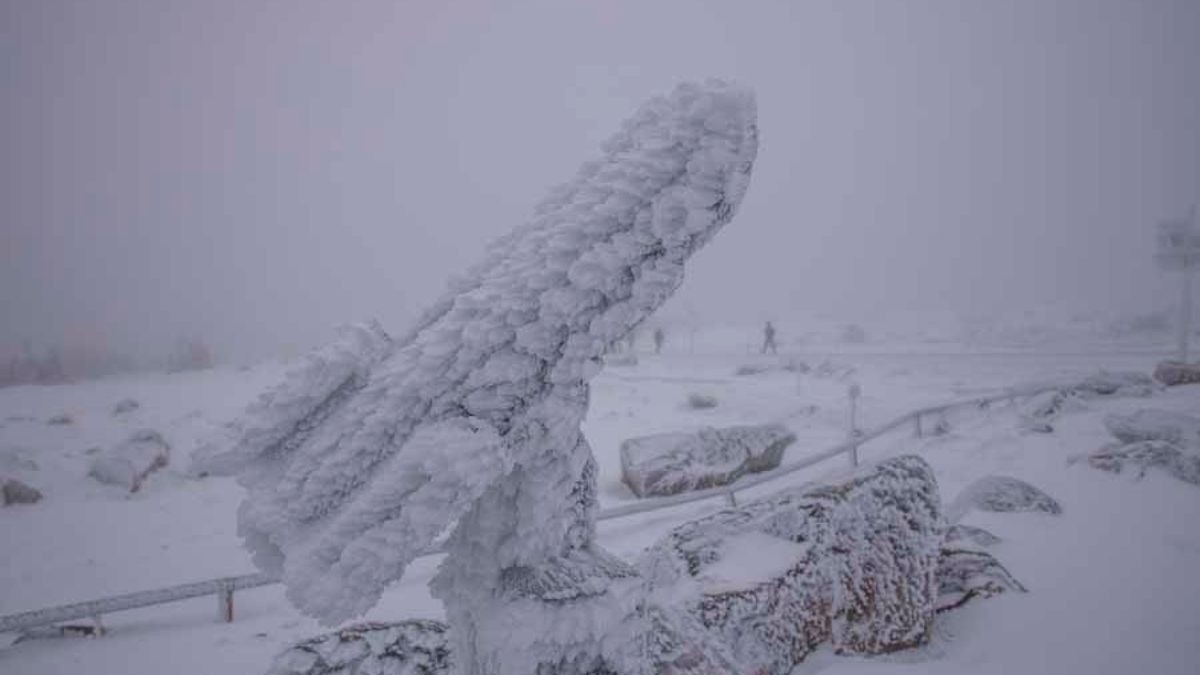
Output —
(1114, 583)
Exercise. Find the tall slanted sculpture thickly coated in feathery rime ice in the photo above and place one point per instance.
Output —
(471, 423)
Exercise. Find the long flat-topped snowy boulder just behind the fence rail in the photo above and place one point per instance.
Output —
(668, 464)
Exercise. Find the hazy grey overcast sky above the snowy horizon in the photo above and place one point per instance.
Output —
(257, 172)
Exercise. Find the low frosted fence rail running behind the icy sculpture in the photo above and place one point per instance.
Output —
(224, 588)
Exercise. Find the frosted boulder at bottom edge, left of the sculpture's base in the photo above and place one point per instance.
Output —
(405, 648)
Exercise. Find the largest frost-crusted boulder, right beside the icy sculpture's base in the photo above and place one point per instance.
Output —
(851, 564)
